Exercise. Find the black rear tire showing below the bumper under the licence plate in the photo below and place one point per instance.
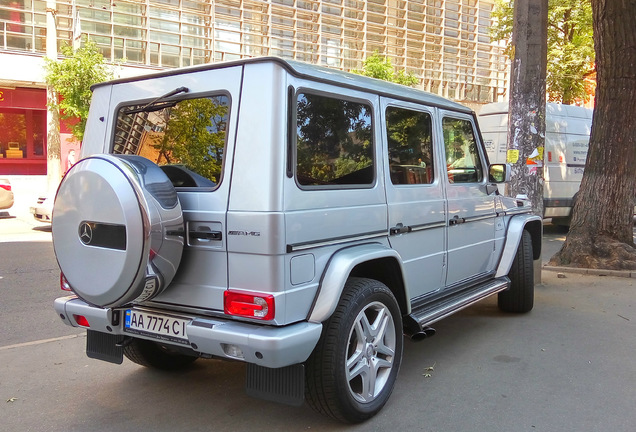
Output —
(152, 355)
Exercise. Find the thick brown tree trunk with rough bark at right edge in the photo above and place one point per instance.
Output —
(601, 232)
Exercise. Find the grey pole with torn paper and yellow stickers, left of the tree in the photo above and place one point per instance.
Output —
(526, 135)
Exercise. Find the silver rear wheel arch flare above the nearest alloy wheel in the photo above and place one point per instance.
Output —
(374, 261)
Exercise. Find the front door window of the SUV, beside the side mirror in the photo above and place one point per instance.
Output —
(462, 156)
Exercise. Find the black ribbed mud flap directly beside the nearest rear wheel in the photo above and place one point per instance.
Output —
(283, 385)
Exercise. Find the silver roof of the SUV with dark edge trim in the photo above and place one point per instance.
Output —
(321, 74)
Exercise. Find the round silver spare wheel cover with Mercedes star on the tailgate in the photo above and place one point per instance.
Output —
(112, 214)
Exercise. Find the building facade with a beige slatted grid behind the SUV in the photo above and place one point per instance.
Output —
(445, 43)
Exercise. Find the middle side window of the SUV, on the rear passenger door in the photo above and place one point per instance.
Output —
(410, 146)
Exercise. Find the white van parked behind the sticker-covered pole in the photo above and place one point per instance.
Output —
(566, 143)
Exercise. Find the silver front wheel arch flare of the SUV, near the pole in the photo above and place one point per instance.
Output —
(516, 226)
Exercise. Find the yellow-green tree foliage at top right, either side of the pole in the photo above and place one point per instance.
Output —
(570, 45)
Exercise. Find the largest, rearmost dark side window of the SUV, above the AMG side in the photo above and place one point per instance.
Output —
(334, 142)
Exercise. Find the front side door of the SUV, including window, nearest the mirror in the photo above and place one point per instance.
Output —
(471, 209)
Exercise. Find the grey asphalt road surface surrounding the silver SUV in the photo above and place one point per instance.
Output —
(567, 366)
